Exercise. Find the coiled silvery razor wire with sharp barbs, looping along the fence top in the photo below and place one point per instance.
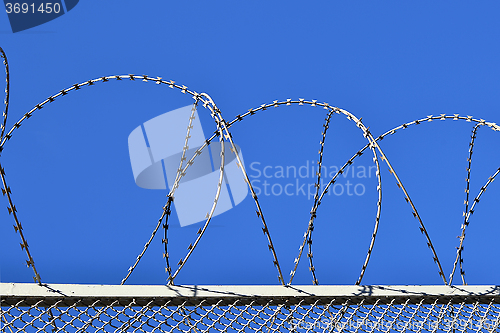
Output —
(224, 135)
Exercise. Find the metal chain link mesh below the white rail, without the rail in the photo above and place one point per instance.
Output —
(310, 313)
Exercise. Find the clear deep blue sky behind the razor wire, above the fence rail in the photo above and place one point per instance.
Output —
(389, 62)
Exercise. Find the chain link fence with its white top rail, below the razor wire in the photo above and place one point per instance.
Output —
(73, 308)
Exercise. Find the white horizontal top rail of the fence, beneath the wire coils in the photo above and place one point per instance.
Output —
(226, 292)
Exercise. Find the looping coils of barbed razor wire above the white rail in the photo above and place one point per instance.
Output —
(224, 135)
